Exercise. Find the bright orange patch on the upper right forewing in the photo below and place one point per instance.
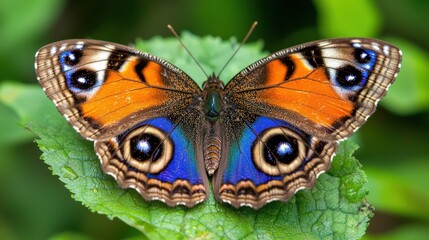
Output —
(307, 92)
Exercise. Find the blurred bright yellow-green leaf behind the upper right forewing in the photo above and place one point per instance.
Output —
(347, 18)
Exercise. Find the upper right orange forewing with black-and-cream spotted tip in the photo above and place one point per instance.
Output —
(327, 88)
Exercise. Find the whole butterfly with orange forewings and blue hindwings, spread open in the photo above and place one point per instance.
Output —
(267, 133)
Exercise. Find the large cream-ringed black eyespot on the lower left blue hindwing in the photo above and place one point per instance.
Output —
(147, 149)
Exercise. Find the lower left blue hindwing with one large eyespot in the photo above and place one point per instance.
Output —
(159, 158)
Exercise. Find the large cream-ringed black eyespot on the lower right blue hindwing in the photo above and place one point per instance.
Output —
(278, 150)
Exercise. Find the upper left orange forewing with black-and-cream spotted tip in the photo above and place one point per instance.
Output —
(103, 88)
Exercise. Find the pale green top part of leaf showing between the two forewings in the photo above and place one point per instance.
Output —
(211, 53)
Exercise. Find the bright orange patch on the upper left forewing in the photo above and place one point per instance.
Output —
(124, 93)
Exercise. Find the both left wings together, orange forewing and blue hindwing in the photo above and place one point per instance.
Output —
(133, 106)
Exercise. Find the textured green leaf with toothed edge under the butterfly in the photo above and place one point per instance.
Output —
(335, 208)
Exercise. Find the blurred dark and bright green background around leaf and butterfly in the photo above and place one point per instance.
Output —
(394, 147)
